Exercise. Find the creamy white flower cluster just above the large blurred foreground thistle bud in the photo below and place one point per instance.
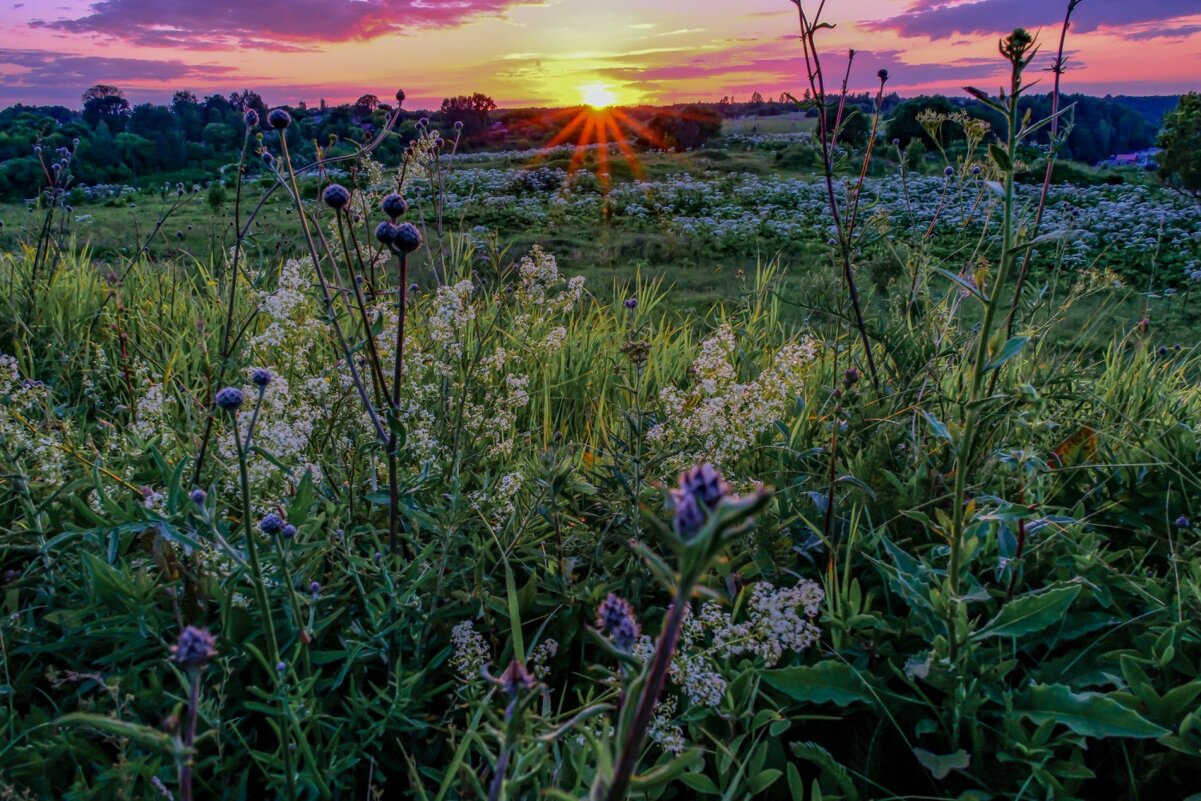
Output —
(719, 417)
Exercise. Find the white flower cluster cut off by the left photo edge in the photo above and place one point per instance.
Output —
(31, 440)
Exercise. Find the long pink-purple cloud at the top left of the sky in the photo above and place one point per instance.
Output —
(213, 25)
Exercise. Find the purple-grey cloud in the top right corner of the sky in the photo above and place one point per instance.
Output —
(940, 19)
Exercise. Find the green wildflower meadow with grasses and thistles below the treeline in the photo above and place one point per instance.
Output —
(779, 469)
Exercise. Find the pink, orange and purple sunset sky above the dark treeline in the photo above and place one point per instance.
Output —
(547, 52)
